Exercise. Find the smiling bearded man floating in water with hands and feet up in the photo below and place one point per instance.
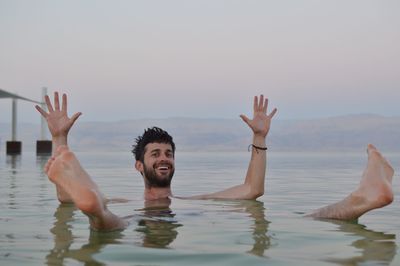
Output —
(155, 153)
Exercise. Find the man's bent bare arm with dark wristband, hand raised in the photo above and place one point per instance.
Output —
(253, 186)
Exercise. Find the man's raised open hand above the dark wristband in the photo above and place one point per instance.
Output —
(261, 121)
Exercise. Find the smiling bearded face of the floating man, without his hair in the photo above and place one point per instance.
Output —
(159, 165)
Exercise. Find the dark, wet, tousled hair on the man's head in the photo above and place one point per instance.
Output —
(151, 135)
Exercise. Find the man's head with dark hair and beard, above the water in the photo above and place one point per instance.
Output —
(154, 153)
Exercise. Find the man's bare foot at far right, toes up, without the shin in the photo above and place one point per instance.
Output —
(375, 189)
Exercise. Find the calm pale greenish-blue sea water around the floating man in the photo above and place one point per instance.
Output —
(36, 230)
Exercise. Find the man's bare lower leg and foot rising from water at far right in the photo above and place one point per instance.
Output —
(374, 191)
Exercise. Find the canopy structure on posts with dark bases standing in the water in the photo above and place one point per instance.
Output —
(14, 146)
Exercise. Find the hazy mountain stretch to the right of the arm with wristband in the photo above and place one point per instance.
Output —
(350, 132)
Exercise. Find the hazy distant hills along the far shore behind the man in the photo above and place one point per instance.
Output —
(347, 133)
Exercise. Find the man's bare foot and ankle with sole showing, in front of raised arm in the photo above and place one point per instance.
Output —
(66, 172)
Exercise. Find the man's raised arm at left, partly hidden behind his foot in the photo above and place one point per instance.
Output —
(59, 125)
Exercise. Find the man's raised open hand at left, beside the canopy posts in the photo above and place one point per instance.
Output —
(57, 119)
